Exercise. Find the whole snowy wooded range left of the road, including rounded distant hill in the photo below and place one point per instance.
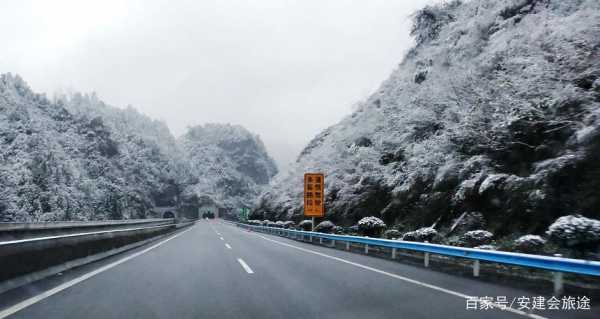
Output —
(76, 158)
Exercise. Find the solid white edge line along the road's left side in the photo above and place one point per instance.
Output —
(28, 302)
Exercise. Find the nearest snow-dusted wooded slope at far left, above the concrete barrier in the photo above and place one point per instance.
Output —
(55, 166)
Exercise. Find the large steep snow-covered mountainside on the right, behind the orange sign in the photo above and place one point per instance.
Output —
(495, 110)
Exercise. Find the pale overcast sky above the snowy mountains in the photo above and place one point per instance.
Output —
(283, 69)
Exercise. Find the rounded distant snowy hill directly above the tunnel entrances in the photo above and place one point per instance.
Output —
(231, 164)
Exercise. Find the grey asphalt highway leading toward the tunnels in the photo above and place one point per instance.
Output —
(216, 270)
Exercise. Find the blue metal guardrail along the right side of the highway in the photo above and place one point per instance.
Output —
(556, 264)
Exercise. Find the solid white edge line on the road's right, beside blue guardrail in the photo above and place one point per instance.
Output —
(416, 282)
